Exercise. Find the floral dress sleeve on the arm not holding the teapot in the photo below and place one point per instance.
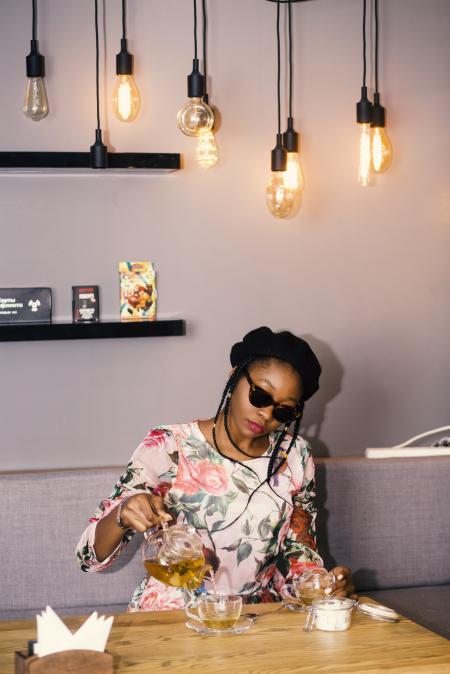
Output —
(299, 548)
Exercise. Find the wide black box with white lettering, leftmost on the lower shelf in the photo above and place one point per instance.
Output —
(25, 305)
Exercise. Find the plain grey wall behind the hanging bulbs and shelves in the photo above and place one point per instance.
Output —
(363, 272)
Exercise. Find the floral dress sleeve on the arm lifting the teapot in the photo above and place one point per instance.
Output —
(152, 469)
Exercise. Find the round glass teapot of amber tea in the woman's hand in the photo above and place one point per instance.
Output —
(174, 556)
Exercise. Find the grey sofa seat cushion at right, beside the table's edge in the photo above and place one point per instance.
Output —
(427, 606)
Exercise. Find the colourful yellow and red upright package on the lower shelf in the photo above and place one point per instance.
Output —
(137, 291)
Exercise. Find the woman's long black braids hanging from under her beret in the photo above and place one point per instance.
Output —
(278, 456)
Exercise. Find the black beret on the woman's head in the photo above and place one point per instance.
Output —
(285, 346)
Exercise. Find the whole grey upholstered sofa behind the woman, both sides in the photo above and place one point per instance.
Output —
(388, 520)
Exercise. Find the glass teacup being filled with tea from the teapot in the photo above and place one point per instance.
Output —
(216, 611)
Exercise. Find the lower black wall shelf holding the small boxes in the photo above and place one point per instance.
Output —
(21, 332)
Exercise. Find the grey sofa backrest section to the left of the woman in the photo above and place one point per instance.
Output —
(43, 516)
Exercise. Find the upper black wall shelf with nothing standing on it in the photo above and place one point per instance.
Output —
(131, 163)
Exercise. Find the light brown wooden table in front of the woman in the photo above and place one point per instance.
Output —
(144, 643)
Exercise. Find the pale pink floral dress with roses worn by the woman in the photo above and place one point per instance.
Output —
(254, 534)
